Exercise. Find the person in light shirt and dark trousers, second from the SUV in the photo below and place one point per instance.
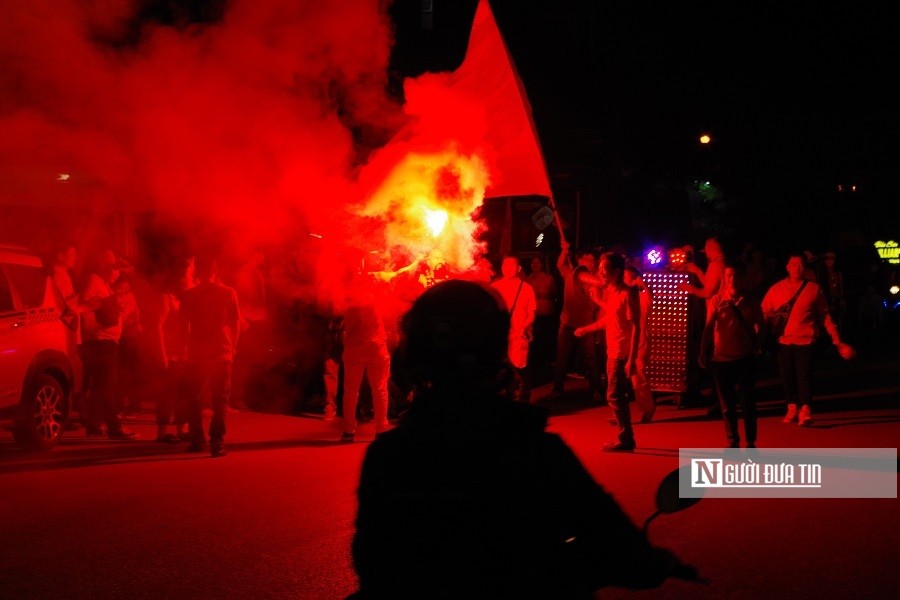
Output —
(101, 327)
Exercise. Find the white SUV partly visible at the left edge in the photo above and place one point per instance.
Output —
(36, 375)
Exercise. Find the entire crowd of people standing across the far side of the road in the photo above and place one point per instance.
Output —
(185, 335)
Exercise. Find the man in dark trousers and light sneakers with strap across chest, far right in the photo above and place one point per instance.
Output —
(795, 345)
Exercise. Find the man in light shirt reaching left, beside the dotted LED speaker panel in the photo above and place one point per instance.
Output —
(622, 321)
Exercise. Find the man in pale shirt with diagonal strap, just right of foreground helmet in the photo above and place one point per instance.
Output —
(519, 299)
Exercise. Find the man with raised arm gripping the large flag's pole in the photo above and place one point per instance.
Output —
(578, 310)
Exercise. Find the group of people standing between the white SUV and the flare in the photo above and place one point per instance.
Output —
(171, 337)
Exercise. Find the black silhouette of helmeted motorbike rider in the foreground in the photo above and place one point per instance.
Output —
(469, 496)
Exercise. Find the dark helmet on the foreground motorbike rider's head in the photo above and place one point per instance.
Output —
(455, 334)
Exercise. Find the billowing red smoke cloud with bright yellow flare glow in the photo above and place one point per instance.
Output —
(264, 128)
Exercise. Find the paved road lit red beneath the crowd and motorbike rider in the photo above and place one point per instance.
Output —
(100, 519)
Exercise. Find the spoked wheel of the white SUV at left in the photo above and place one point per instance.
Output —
(44, 411)
